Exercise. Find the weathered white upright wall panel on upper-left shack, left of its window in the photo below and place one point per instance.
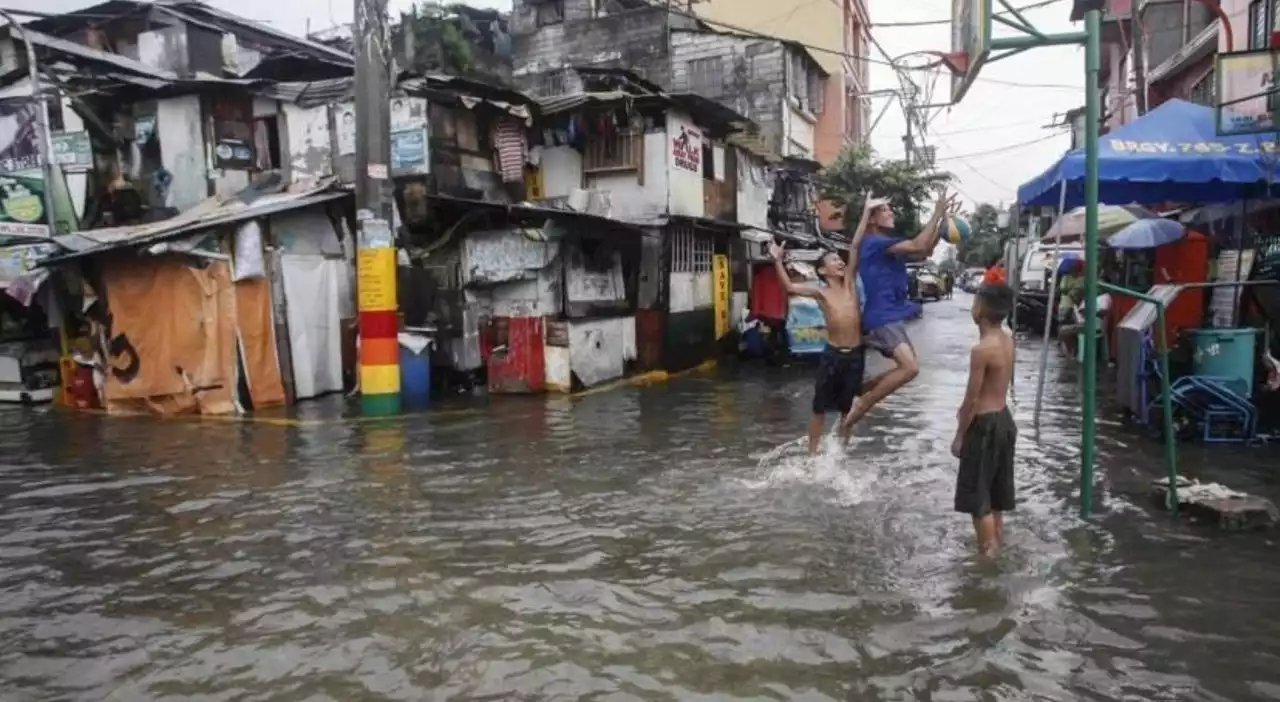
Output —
(180, 126)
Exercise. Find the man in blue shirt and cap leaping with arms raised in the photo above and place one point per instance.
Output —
(884, 258)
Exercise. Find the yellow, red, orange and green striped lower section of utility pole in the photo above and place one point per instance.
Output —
(380, 320)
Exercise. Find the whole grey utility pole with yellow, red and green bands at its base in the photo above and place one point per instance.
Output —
(376, 272)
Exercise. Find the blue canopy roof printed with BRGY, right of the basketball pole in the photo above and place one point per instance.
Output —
(1173, 154)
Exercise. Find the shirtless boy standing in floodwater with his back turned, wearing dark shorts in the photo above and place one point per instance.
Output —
(986, 434)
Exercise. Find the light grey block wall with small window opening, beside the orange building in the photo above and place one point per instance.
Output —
(753, 78)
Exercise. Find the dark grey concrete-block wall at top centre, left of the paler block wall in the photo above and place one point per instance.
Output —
(634, 40)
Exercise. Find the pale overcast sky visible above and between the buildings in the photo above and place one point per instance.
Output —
(977, 140)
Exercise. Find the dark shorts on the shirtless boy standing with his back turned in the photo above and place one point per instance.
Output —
(986, 480)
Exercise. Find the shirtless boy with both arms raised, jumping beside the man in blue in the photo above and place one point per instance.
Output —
(844, 361)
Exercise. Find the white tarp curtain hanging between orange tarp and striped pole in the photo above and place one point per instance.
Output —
(312, 290)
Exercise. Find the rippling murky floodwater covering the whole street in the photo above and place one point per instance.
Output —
(643, 544)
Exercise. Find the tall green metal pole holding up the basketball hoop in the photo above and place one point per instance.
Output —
(1089, 431)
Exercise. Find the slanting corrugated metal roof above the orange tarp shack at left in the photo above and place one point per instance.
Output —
(209, 215)
